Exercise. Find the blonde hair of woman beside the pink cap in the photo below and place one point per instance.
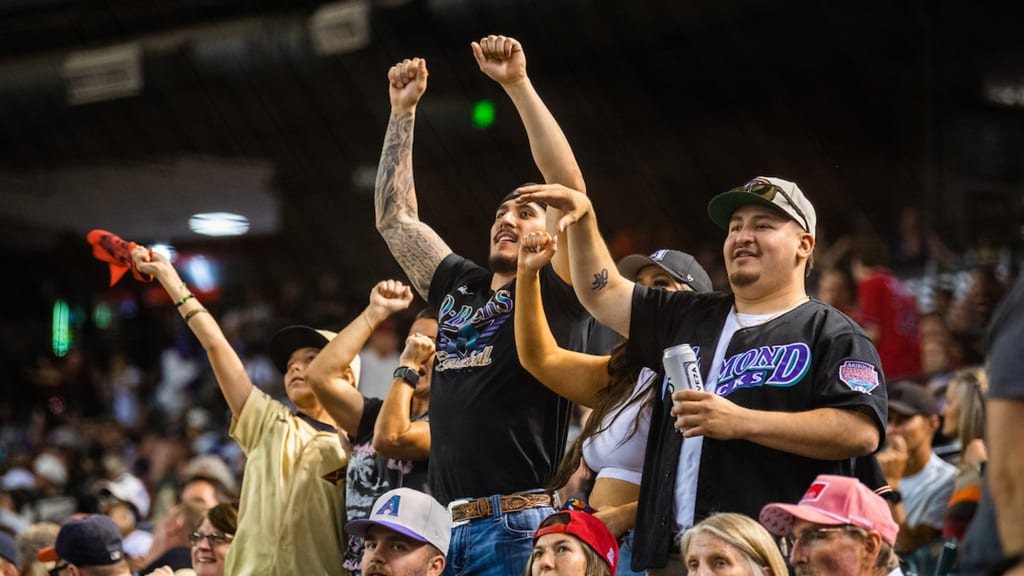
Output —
(746, 536)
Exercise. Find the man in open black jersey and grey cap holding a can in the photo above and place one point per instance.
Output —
(793, 388)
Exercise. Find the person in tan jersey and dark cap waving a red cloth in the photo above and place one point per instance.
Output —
(295, 463)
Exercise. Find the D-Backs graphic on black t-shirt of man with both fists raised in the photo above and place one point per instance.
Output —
(465, 335)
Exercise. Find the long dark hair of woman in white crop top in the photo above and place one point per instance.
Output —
(614, 398)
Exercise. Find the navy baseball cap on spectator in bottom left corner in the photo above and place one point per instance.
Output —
(94, 541)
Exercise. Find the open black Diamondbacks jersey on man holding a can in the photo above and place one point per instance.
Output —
(813, 357)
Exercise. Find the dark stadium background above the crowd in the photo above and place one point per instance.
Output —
(870, 106)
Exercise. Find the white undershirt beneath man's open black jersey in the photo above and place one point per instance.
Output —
(690, 456)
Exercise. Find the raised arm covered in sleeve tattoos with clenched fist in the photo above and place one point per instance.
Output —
(415, 245)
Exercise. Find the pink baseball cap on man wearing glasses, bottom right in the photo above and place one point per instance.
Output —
(834, 501)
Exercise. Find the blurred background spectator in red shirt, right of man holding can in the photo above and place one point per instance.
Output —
(886, 311)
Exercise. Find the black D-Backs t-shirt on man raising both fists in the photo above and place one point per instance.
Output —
(494, 429)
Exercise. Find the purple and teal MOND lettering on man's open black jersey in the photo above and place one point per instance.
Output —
(782, 366)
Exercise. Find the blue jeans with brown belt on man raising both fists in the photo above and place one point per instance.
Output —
(497, 546)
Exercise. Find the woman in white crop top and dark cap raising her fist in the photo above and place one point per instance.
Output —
(615, 437)
